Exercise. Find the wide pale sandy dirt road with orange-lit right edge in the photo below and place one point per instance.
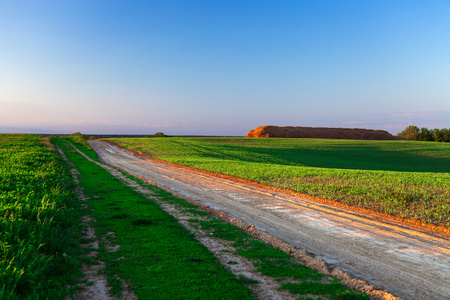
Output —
(388, 255)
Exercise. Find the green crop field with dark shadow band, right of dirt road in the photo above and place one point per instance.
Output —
(401, 178)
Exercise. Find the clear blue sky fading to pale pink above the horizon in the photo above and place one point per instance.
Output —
(222, 68)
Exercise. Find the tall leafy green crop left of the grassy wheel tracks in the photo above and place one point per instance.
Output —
(39, 231)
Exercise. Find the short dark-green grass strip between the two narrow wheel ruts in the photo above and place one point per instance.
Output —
(158, 256)
